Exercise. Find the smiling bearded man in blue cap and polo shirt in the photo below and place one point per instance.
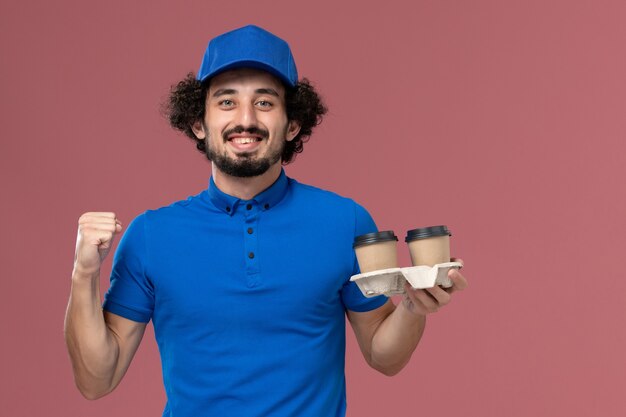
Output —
(247, 283)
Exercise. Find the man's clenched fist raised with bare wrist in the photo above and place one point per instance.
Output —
(94, 241)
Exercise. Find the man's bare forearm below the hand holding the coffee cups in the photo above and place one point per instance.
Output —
(395, 340)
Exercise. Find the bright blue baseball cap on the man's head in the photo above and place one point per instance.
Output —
(249, 47)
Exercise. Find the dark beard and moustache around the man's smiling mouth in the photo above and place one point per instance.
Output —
(244, 164)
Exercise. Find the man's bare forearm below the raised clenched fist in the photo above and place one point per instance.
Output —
(92, 347)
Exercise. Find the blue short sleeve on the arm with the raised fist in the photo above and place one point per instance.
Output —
(131, 294)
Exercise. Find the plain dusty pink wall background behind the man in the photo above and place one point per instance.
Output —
(504, 120)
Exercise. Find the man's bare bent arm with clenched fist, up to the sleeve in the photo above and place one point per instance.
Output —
(100, 344)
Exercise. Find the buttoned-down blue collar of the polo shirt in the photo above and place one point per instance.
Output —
(266, 199)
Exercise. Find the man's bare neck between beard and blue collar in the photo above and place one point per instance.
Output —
(245, 188)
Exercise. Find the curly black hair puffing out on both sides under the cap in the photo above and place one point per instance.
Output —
(186, 105)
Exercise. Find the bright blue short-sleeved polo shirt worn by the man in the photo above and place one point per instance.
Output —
(247, 298)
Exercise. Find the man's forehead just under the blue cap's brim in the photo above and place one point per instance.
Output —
(242, 79)
